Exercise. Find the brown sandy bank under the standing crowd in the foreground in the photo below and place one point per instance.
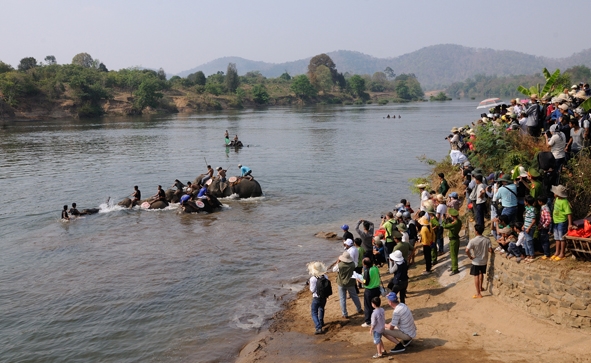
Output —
(452, 327)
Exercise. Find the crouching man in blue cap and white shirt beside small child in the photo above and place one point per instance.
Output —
(402, 329)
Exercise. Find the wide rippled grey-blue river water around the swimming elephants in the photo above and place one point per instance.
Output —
(159, 286)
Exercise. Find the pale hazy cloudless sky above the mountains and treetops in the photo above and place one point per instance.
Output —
(181, 34)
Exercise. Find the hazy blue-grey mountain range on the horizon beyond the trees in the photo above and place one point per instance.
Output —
(436, 66)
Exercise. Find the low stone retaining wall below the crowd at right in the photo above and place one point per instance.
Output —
(546, 290)
